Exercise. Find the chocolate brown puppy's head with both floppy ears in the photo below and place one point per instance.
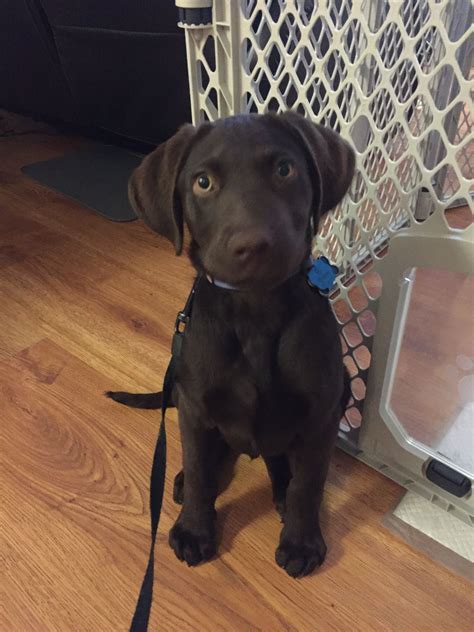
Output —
(250, 188)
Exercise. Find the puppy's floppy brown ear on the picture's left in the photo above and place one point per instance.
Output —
(152, 187)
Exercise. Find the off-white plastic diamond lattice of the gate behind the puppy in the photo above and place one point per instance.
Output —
(393, 77)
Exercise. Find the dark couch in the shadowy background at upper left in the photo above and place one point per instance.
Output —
(118, 65)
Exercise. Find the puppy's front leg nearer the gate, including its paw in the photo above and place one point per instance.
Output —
(302, 547)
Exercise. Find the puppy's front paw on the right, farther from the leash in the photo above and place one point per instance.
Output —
(299, 557)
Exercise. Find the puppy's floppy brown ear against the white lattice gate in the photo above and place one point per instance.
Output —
(331, 161)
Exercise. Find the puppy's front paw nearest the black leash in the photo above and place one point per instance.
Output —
(193, 545)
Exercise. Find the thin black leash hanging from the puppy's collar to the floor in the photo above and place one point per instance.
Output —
(158, 469)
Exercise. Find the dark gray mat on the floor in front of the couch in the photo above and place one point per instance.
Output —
(96, 177)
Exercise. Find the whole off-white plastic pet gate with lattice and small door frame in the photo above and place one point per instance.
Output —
(393, 77)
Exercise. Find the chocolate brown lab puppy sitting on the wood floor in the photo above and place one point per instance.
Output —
(261, 366)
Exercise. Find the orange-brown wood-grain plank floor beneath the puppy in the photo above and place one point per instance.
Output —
(87, 305)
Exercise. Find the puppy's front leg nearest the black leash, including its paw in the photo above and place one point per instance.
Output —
(193, 536)
